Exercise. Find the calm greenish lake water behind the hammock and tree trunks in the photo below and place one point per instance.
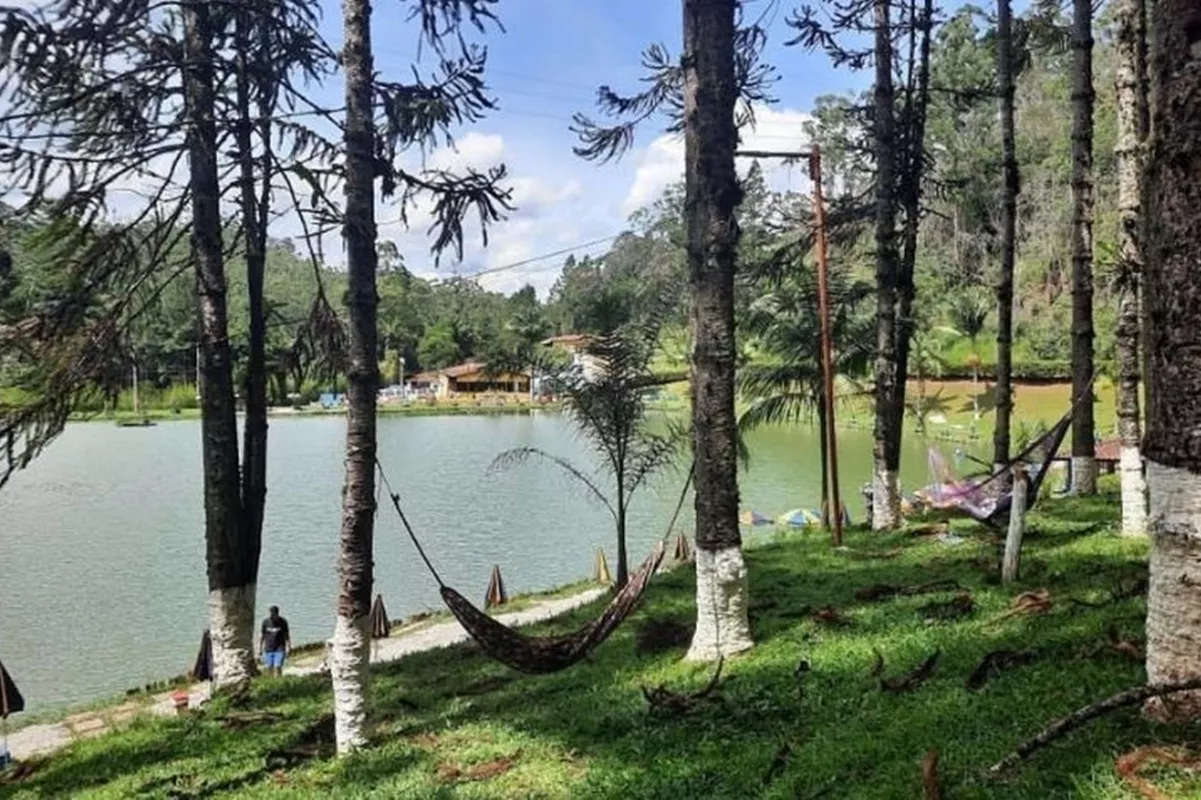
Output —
(101, 545)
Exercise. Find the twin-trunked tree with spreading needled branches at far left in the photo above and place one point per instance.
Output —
(88, 116)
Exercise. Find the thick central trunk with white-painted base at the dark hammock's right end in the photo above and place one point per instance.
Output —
(712, 194)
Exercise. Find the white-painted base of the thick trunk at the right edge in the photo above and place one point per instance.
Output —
(1174, 598)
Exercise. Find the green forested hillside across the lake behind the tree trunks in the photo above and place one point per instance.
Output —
(435, 324)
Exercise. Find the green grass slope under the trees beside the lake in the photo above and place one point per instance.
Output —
(453, 724)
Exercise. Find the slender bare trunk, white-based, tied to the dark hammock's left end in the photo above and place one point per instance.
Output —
(350, 650)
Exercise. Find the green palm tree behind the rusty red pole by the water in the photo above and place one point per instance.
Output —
(786, 385)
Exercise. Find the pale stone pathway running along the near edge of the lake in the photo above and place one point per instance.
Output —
(45, 739)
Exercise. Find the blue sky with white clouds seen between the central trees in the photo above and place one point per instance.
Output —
(545, 68)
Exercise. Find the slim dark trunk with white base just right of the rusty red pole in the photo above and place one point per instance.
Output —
(886, 487)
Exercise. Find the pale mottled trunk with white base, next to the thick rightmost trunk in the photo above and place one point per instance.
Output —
(1132, 118)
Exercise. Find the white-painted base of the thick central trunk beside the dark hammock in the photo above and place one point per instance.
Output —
(722, 600)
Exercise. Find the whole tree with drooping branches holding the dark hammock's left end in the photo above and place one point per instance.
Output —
(384, 120)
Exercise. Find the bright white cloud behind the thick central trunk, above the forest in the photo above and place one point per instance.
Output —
(662, 163)
